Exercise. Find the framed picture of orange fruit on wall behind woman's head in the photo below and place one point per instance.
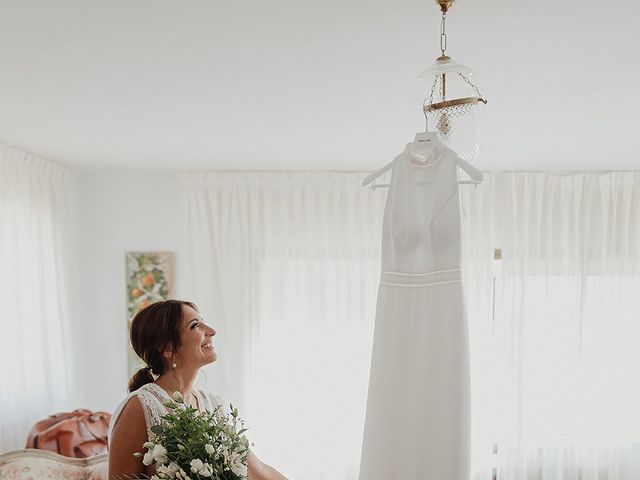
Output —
(149, 279)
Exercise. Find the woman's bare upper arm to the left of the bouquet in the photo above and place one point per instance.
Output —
(129, 433)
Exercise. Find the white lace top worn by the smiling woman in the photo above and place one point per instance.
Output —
(151, 397)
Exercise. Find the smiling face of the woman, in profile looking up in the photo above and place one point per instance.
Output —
(196, 340)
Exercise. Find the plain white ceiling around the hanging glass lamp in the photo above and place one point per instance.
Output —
(307, 85)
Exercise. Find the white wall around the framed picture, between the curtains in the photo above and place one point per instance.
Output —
(113, 213)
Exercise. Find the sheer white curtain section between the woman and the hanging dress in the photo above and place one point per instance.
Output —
(285, 266)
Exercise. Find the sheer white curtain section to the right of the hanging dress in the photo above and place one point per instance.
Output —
(554, 325)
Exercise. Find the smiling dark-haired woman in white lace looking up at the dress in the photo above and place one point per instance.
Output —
(174, 342)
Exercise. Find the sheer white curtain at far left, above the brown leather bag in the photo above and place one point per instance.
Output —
(35, 372)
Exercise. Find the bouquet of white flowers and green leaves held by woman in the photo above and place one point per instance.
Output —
(197, 446)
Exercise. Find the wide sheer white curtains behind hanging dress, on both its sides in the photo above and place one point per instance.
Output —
(287, 265)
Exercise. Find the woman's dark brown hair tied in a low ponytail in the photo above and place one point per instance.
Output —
(154, 329)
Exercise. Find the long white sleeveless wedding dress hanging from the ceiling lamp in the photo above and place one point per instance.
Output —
(418, 407)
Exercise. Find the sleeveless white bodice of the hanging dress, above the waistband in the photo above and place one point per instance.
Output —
(421, 228)
